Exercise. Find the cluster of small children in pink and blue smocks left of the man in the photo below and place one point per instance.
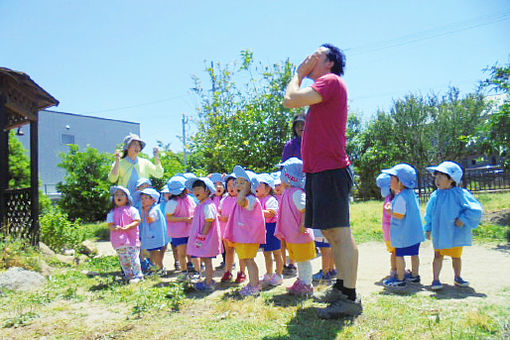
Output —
(202, 217)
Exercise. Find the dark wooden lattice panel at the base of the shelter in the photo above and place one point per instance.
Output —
(18, 221)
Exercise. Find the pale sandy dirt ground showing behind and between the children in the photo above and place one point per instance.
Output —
(486, 267)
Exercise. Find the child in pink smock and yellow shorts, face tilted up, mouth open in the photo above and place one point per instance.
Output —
(246, 229)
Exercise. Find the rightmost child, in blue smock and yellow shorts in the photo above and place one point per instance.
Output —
(452, 213)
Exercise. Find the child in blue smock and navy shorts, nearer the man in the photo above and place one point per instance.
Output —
(406, 224)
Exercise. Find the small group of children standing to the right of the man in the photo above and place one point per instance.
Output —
(451, 214)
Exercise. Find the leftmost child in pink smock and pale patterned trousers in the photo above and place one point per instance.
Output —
(123, 221)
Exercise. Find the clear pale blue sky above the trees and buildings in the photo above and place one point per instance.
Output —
(134, 60)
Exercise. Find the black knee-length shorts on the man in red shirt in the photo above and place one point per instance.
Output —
(327, 199)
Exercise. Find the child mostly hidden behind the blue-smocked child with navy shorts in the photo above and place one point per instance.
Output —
(383, 181)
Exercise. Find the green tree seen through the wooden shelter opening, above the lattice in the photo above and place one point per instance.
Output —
(19, 163)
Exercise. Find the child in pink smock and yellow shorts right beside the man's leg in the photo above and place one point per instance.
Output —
(290, 226)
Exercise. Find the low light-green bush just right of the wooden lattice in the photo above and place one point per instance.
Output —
(58, 232)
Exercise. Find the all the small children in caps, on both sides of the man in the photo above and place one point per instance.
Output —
(203, 217)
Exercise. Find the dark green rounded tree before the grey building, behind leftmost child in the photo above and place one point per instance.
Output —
(85, 190)
